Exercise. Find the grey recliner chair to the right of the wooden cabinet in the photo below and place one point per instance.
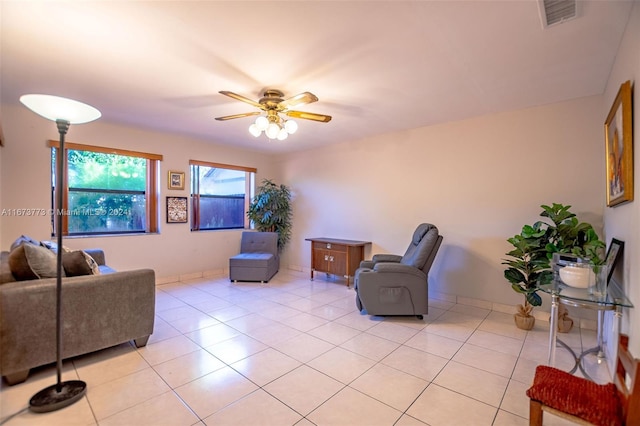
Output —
(390, 284)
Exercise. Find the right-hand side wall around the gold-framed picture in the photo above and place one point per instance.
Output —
(623, 222)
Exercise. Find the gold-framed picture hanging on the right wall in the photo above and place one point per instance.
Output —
(619, 148)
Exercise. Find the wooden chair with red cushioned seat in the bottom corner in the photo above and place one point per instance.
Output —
(585, 402)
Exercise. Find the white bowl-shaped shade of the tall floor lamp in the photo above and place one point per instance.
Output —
(56, 108)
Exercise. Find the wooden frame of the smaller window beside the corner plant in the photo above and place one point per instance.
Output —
(195, 196)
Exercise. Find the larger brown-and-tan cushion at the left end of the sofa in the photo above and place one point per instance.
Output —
(30, 262)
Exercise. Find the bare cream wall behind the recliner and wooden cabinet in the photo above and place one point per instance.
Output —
(478, 180)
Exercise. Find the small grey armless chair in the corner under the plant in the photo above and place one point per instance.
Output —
(258, 259)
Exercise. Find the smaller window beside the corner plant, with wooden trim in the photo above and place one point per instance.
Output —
(220, 195)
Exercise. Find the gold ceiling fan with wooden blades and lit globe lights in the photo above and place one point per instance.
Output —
(273, 103)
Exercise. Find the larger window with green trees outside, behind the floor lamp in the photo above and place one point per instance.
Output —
(106, 191)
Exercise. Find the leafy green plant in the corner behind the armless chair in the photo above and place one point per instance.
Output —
(270, 211)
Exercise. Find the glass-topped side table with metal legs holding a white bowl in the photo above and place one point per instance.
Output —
(613, 300)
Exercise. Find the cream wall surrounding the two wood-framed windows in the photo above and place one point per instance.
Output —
(175, 251)
